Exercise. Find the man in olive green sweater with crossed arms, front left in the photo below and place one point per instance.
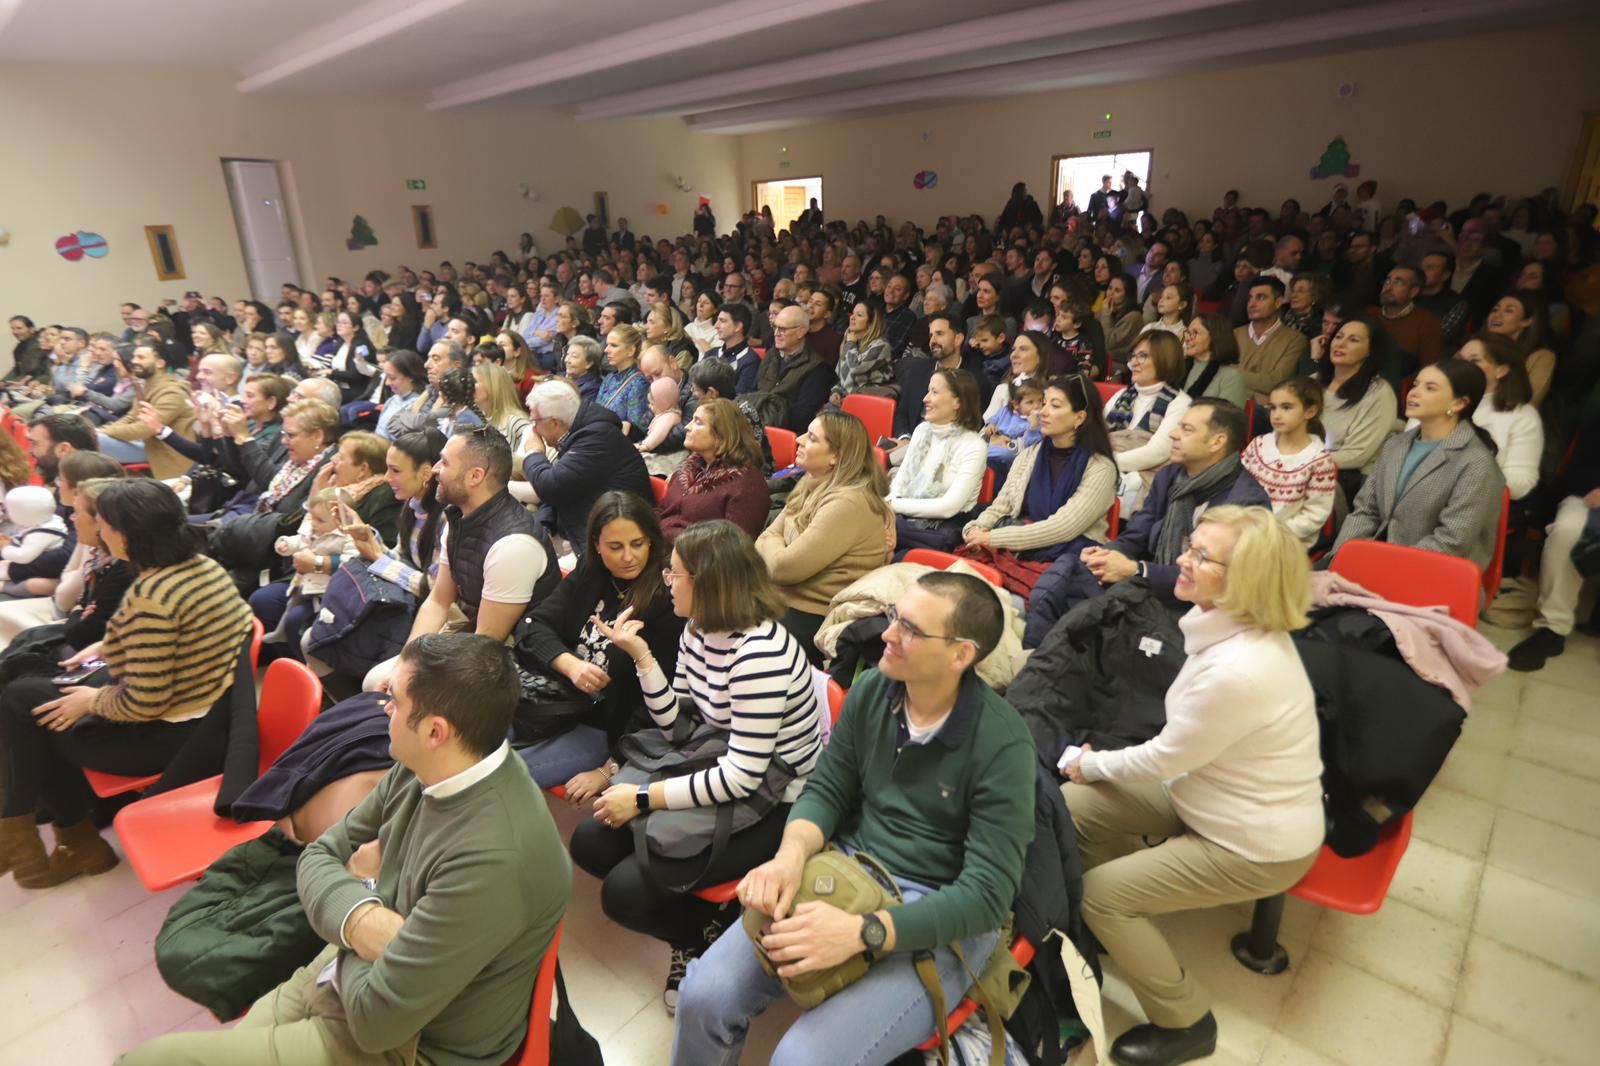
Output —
(438, 896)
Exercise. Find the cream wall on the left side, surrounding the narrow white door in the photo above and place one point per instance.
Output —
(116, 150)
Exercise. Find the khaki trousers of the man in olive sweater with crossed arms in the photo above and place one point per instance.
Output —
(298, 1024)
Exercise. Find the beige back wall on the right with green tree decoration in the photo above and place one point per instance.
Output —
(1431, 121)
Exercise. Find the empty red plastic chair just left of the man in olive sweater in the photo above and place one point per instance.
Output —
(172, 838)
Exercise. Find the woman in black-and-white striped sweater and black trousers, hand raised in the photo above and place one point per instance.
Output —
(748, 679)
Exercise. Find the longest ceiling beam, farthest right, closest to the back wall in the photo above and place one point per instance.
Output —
(1369, 26)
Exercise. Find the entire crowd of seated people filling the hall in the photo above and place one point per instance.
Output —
(482, 443)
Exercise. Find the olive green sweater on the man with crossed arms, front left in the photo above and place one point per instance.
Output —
(482, 883)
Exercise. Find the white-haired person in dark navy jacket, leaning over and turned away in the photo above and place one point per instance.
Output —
(577, 455)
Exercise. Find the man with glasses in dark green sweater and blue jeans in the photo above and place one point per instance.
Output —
(932, 774)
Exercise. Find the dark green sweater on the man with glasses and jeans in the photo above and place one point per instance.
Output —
(956, 814)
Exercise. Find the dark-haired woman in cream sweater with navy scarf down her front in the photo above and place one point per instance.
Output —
(1055, 497)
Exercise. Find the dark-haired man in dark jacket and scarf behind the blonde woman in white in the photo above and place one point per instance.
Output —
(1204, 473)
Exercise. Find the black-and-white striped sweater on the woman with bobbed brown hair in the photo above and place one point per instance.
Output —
(758, 684)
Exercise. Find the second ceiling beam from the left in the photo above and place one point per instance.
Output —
(638, 46)
